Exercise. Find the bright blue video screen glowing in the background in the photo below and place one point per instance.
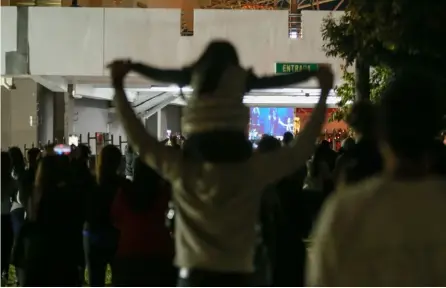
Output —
(271, 121)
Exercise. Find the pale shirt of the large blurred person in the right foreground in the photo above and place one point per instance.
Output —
(382, 232)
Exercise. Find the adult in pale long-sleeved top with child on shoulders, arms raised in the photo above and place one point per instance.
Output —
(216, 180)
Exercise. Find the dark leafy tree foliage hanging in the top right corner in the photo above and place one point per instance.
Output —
(387, 35)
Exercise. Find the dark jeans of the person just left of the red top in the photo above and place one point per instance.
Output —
(97, 257)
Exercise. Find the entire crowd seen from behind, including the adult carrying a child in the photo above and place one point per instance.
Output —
(288, 213)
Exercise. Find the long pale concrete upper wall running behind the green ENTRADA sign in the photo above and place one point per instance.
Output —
(83, 41)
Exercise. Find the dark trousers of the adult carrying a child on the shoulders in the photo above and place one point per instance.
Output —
(203, 278)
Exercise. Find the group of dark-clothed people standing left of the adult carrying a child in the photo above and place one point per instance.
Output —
(60, 218)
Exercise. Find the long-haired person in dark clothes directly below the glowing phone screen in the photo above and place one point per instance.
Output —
(53, 229)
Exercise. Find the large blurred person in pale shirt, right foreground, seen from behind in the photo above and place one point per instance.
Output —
(386, 230)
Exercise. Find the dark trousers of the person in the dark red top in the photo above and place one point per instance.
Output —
(143, 272)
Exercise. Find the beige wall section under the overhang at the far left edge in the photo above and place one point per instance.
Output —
(19, 114)
